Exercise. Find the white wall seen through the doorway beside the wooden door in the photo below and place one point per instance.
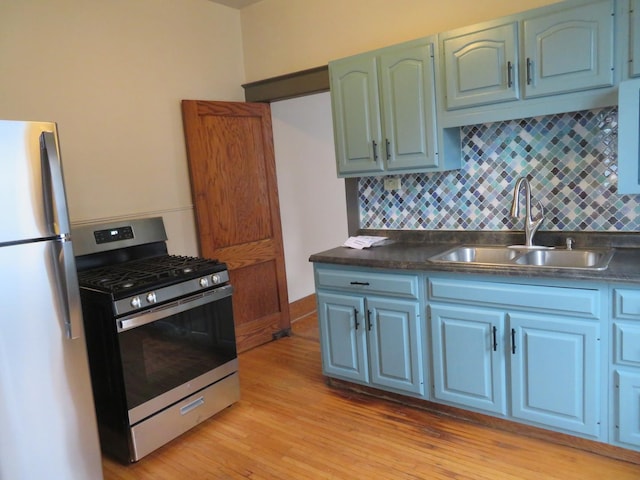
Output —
(312, 198)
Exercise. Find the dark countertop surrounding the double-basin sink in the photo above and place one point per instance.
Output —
(411, 251)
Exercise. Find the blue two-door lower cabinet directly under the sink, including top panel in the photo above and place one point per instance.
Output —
(530, 352)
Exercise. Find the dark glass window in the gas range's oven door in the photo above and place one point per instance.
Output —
(164, 354)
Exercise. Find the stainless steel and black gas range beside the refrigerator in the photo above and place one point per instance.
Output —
(160, 335)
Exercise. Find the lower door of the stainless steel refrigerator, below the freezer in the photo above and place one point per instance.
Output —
(47, 417)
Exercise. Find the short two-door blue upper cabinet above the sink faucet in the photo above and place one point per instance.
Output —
(554, 59)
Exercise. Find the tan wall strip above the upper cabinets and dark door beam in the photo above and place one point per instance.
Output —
(284, 36)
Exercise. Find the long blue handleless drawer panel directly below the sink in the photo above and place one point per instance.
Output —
(581, 302)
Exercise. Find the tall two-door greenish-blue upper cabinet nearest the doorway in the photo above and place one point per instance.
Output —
(384, 112)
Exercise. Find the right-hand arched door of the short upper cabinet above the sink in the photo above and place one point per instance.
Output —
(569, 51)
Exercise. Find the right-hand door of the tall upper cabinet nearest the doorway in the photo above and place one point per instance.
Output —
(408, 105)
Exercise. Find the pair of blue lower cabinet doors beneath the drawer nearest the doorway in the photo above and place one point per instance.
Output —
(371, 340)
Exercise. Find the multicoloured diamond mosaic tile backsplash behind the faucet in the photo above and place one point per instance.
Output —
(570, 160)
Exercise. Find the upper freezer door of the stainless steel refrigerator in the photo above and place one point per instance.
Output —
(31, 187)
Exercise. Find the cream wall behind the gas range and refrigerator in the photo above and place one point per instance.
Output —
(112, 74)
